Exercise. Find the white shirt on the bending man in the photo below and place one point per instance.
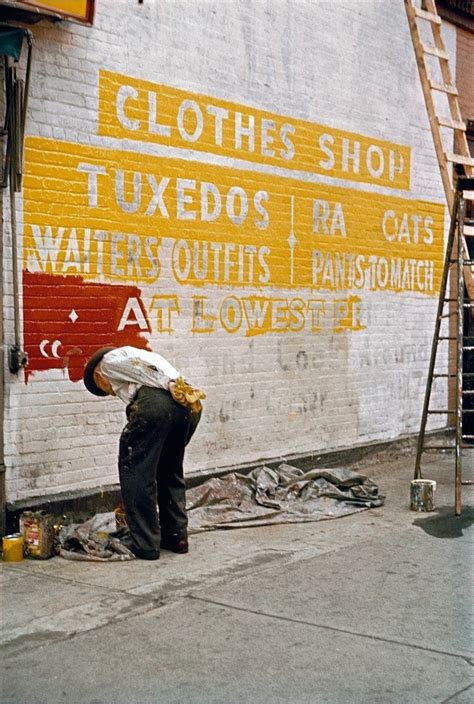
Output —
(129, 368)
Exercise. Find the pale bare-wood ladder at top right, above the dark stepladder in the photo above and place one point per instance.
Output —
(452, 121)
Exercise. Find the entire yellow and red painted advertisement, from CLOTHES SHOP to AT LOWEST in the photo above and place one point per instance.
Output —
(125, 245)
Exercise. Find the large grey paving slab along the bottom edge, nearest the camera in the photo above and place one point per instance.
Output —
(195, 653)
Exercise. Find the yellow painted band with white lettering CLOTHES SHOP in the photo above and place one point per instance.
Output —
(130, 108)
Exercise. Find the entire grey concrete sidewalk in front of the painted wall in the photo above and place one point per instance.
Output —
(373, 608)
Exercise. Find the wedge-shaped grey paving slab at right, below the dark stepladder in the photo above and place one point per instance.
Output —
(409, 586)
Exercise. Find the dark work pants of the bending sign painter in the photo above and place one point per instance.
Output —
(151, 456)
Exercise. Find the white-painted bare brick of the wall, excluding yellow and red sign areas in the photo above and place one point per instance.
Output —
(349, 65)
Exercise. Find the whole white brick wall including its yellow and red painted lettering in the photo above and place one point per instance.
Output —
(282, 247)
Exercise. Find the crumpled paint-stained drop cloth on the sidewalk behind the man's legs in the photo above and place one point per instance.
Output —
(263, 497)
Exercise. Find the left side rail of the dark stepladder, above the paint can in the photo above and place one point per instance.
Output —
(434, 344)
